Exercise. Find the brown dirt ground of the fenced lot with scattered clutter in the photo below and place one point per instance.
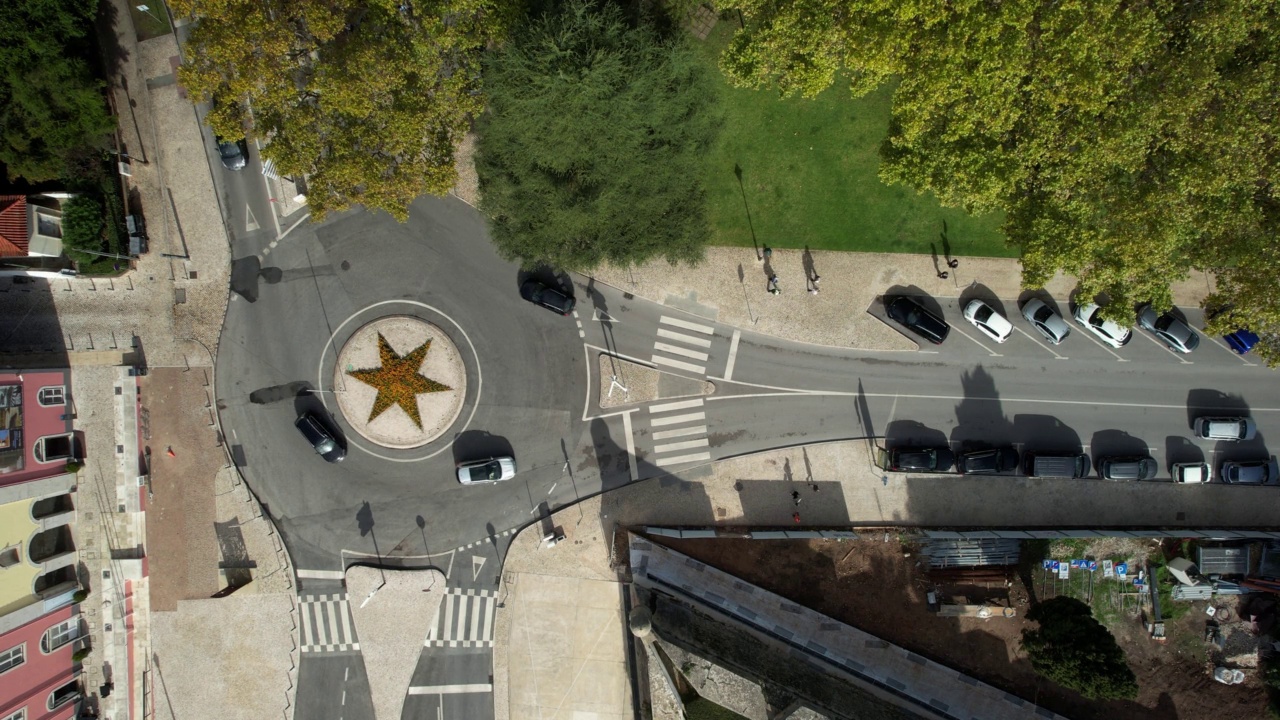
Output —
(870, 585)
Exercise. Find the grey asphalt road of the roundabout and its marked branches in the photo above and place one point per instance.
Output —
(533, 381)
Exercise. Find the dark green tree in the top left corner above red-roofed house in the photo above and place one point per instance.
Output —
(52, 107)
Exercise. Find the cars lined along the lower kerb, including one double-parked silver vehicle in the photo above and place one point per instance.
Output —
(1007, 461)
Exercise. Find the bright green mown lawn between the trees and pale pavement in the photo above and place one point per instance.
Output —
(810, 175)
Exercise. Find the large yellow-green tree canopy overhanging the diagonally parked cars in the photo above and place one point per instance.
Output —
(1127, 143)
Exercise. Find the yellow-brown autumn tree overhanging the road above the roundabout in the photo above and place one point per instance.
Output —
(367, 98)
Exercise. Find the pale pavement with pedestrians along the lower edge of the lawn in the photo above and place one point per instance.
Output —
(849, 284)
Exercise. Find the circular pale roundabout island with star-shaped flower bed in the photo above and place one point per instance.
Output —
(400, 382)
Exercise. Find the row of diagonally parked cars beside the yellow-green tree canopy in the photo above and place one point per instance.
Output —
(1167, 327)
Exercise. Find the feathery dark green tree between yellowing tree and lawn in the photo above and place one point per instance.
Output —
(592, 147)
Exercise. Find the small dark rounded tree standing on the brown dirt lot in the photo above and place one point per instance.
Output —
(1076, 651)
